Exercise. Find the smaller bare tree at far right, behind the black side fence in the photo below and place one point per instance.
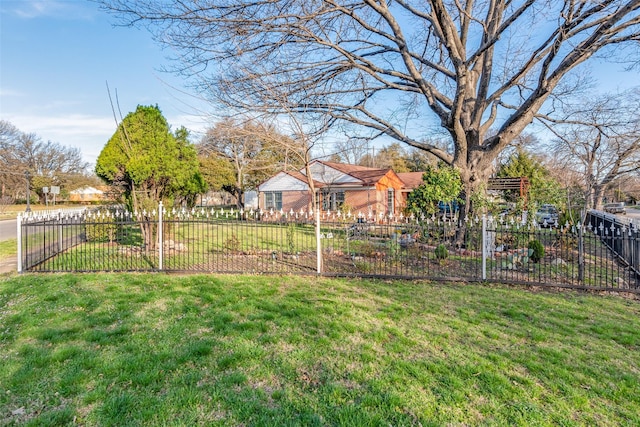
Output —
(599, 139)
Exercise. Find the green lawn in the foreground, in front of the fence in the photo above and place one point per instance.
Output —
(117, 349)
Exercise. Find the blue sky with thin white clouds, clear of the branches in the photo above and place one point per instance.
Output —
(56, 55)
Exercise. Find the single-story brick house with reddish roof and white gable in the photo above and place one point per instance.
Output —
(338, 185)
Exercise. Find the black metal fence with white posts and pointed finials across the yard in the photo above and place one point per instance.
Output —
(332, 244)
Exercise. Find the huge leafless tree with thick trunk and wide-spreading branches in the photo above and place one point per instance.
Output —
(382, 66)
